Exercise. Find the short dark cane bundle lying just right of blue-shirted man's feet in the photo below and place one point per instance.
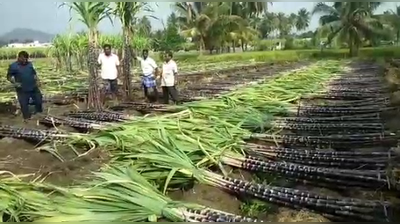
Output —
(79, 123)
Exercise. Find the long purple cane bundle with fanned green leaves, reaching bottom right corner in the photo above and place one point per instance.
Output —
(169, 157)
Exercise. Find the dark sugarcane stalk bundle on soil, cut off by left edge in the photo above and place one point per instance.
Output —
(31, 134)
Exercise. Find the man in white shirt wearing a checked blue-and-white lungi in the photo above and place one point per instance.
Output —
(149, 72)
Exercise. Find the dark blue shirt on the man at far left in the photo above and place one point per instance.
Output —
(23, 74)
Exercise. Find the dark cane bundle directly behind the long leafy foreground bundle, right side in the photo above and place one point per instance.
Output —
(352, 178)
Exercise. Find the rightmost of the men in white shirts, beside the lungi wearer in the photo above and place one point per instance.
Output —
(169, 79)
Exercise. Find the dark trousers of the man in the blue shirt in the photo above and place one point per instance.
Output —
(23, 98)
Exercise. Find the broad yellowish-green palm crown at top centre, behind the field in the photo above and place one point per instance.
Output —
(216, 24)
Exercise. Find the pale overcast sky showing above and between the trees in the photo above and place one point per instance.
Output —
(46, 16)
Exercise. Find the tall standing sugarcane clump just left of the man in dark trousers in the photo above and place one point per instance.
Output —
(91, 14)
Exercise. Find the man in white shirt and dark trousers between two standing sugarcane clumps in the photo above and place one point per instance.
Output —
(109, 69)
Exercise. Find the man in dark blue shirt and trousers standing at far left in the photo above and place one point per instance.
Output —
(23, 76)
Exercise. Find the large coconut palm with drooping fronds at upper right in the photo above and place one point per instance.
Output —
(349, 22)
